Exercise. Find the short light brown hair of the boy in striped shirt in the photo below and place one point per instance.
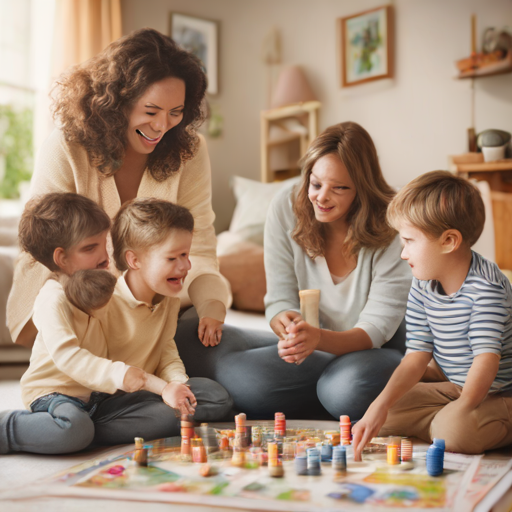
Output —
(437, 201)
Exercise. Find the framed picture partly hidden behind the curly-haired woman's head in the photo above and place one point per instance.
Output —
(200, 37)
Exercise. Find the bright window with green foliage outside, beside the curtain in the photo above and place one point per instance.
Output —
(26, 28)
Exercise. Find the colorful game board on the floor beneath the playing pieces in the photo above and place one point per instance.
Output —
(167, 478)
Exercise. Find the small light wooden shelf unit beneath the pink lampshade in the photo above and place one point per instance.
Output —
(307, 115)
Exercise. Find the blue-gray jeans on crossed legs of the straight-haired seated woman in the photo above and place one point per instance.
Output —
(247, 364)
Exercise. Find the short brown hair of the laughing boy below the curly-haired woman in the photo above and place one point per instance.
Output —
(145, 222)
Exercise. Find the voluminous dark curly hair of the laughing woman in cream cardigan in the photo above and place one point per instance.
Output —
(93, 101)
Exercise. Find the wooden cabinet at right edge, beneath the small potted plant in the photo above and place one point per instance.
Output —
(499, 176)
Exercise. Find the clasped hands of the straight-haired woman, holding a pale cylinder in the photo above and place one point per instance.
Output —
(300, 341)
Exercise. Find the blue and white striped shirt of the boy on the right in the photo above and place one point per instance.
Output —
(456, 328)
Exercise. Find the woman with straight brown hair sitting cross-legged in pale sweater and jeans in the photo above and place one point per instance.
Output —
(327, 232)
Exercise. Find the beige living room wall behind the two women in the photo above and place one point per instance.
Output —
(416, 119)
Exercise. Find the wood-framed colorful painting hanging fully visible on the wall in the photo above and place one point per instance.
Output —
(366, 46)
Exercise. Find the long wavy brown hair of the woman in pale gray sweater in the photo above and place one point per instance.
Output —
(367, 214)
